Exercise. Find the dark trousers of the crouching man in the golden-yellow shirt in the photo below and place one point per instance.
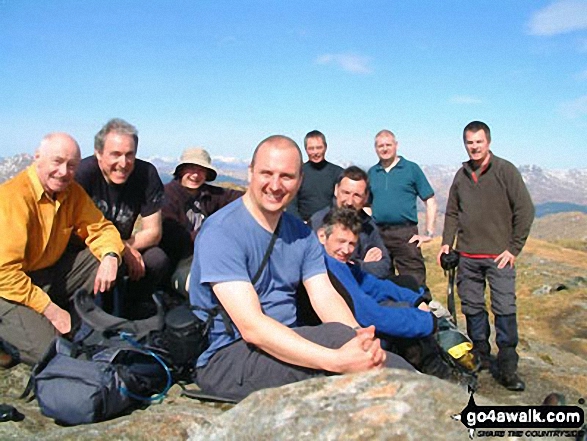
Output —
(27, 330)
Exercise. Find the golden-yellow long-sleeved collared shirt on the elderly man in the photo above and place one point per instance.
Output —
(36, 230)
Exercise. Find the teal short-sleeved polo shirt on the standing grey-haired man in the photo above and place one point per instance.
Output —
(394, 193)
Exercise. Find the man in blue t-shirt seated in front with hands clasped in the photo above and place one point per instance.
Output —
(264, 348)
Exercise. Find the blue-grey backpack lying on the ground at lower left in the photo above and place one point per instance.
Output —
(87, 390)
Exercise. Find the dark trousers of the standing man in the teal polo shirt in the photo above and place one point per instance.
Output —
(406, 258)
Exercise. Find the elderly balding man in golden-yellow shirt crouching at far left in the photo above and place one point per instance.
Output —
(40, 208)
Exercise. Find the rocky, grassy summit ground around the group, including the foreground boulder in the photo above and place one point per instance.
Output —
(387, 404)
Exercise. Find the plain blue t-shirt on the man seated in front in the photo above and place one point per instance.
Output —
(230, 248)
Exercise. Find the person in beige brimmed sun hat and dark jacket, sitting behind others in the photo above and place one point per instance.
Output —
(189, 200)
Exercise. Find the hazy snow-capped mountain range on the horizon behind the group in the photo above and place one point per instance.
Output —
(553, 191)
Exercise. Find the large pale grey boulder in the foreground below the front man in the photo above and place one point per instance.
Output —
(383, 405)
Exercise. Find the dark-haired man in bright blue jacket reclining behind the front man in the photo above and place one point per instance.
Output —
(400, 315)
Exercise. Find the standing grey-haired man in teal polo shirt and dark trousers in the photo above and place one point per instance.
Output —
(396, 183)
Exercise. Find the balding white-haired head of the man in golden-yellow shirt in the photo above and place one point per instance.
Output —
(56, 160)
